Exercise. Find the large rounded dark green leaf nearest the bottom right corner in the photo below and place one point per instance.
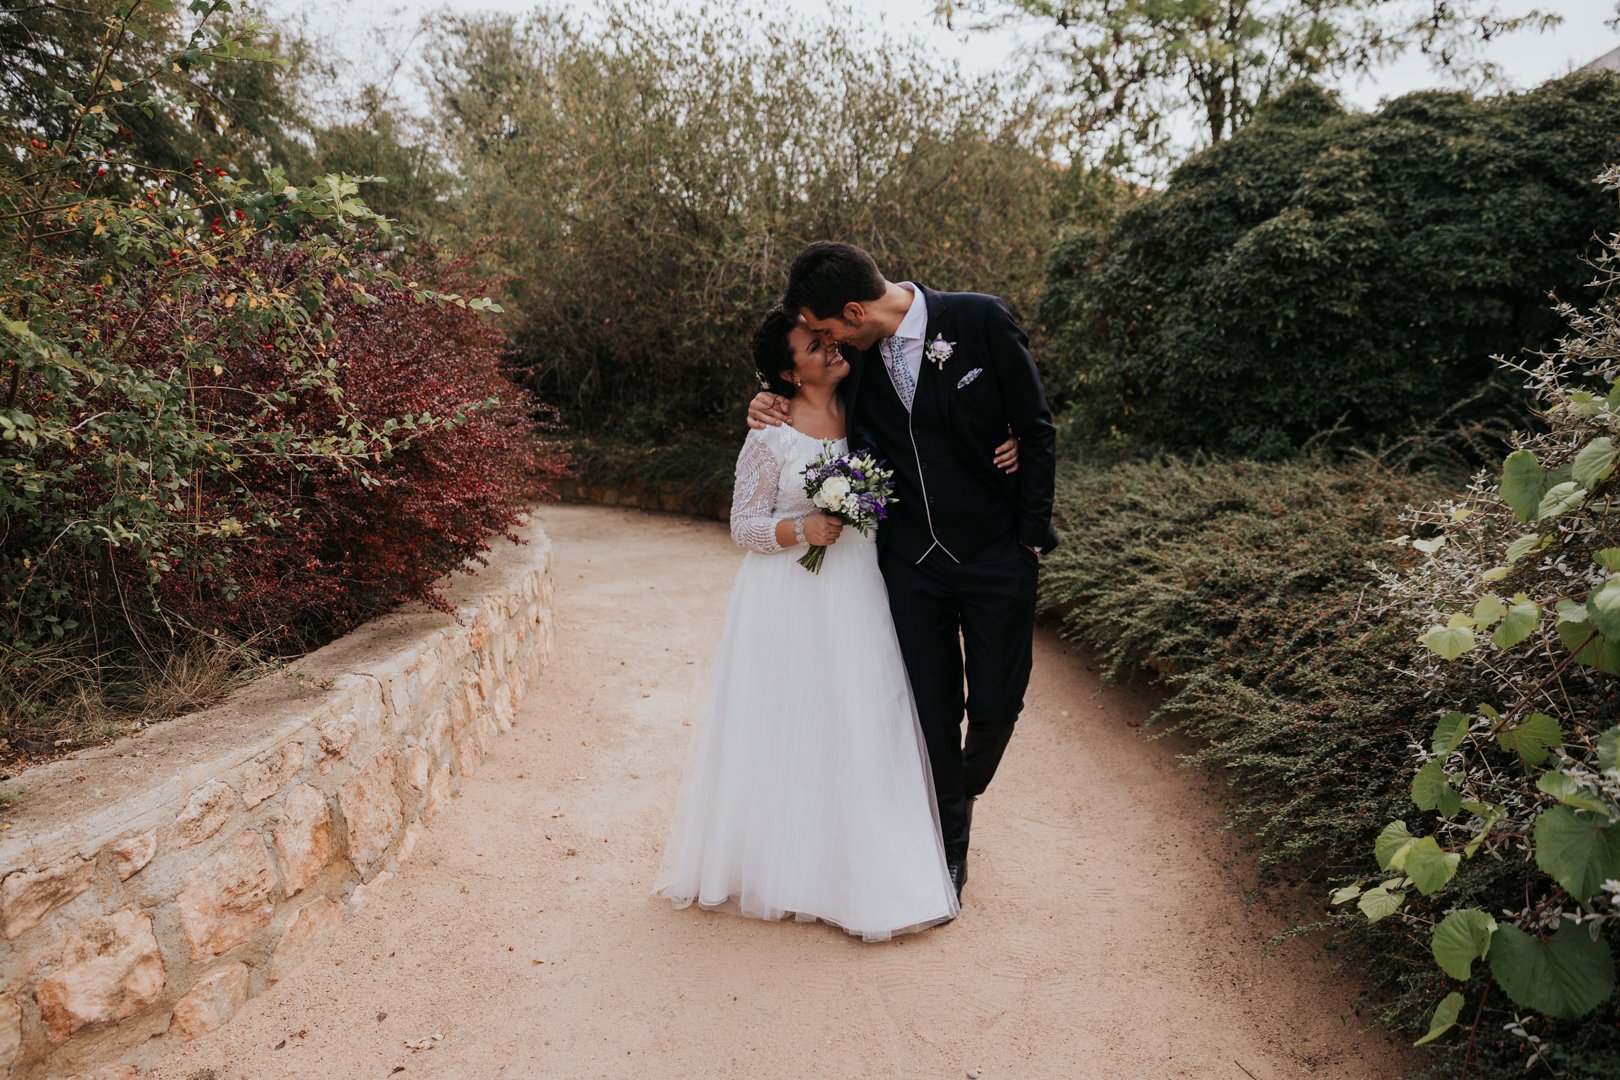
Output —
(1566, 976)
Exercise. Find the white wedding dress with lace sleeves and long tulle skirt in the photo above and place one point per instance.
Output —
(808, 788)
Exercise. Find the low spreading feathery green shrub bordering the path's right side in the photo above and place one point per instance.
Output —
(1251, 590)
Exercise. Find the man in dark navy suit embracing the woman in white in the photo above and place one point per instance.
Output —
(936, 385)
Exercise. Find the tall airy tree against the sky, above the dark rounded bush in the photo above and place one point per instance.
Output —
(1145, 72)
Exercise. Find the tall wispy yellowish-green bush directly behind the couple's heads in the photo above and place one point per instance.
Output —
(649, 176)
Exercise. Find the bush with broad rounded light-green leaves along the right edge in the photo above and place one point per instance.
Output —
(1511, 864)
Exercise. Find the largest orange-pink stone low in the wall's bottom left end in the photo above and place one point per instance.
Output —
(111, 971)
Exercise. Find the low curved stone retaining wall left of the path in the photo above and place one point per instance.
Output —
(153, 887)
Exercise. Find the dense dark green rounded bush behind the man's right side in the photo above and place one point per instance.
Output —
(1334, 273)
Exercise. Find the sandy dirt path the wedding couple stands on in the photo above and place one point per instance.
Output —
(1104, 932)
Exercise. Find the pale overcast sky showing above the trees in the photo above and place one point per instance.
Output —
(1528, 59)
